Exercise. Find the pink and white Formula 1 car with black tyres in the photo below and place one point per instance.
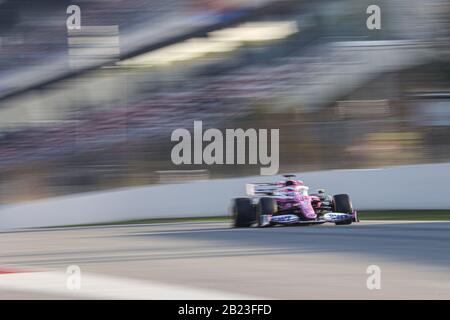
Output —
(288, 203)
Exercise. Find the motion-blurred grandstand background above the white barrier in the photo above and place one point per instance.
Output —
(94, 109)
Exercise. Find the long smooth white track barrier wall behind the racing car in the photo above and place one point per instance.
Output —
(403, 187)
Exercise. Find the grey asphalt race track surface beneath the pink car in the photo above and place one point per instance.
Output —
(316, 262)
